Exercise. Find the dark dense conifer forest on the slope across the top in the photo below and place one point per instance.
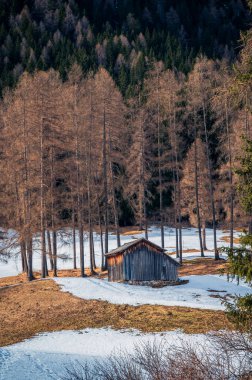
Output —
(123, 36)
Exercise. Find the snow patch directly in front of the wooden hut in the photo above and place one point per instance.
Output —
(204, 292)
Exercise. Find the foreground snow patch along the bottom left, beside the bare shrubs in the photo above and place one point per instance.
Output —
(46, 356)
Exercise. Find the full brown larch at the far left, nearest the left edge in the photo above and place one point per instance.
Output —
(19, 131)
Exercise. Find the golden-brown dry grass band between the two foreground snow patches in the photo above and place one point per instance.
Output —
(40, 306)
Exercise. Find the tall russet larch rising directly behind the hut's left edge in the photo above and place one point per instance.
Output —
(109, 123)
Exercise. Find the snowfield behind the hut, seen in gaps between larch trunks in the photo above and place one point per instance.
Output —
(190, 242)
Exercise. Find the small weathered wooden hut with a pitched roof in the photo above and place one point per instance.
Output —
(141, 261)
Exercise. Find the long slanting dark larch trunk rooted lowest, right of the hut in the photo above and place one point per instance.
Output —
(216, 253)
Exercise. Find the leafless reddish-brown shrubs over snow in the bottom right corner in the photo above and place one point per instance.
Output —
(222, 356)
